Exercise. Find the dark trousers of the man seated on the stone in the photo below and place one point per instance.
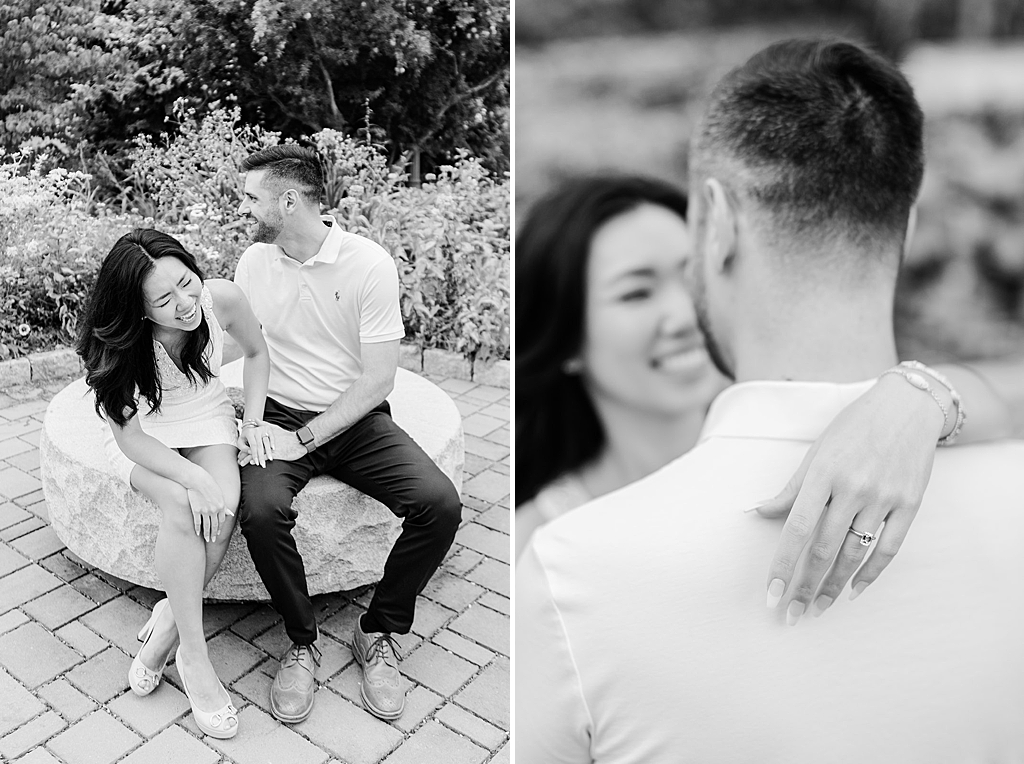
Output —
(378, 458)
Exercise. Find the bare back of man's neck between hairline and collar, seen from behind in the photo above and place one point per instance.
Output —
(826, 338)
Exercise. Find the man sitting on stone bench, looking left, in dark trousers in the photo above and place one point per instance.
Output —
(328, 302)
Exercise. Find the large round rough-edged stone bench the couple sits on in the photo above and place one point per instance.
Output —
(345, 536)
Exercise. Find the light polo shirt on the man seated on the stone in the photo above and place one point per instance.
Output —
(316, 315)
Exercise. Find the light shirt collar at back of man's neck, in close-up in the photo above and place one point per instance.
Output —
(780, 411)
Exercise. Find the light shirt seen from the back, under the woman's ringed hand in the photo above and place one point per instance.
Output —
(643, 633)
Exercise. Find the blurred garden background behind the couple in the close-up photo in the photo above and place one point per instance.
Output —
(619, 84)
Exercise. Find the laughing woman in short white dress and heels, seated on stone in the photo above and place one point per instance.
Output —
(152, 341)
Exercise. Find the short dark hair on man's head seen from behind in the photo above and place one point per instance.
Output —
(827, 136)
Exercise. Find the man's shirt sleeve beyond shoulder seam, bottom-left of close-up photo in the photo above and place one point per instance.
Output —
(553, 725)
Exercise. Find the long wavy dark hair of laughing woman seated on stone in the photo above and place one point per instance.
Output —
(115, 342)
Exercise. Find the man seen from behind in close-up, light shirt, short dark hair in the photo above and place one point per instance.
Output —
(642, 628)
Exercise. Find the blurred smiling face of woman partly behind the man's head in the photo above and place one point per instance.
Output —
(643, 350)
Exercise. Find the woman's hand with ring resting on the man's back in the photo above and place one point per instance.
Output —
(870, 468)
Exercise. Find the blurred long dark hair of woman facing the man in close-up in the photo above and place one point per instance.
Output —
(558, 430)
